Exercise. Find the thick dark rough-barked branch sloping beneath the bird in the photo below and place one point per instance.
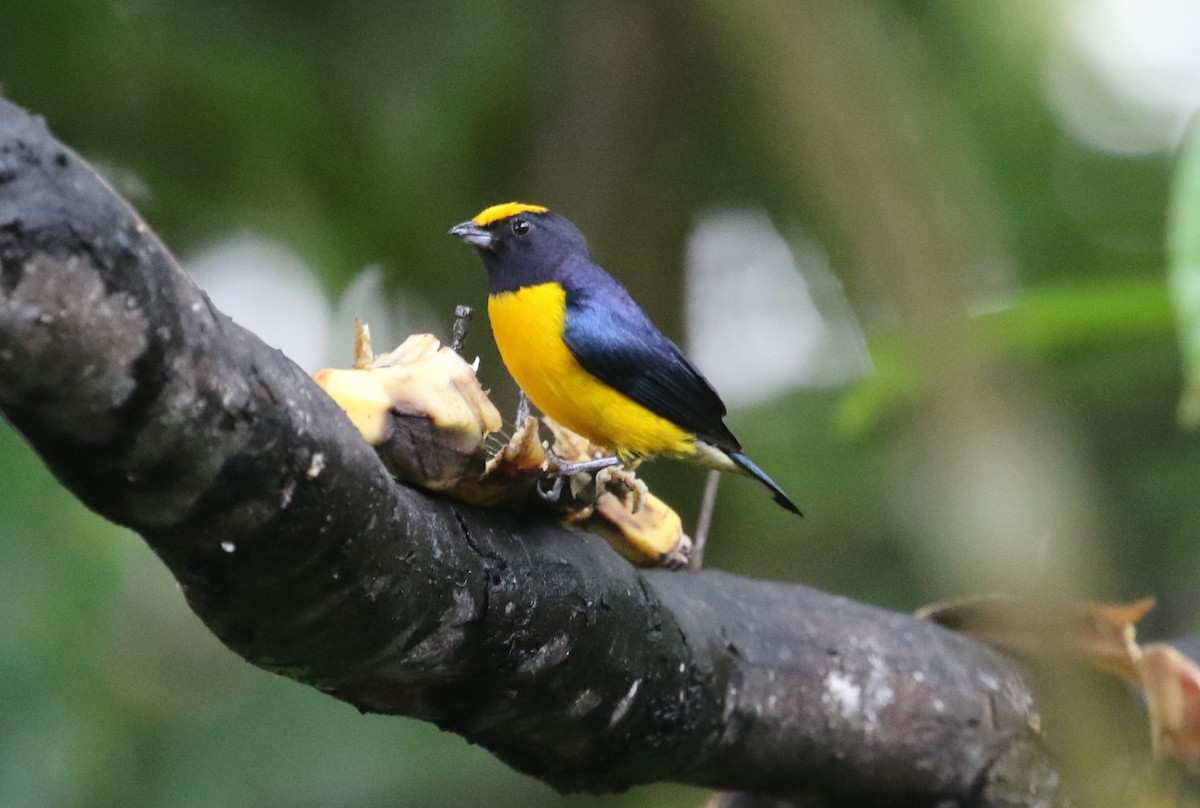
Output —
(298, 550)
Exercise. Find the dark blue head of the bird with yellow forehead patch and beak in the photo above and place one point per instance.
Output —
(523, 246)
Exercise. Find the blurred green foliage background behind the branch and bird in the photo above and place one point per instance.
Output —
(921, 248)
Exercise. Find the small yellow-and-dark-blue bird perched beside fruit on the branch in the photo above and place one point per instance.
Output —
(586, 355)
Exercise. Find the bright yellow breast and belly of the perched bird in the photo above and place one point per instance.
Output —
(529, 327)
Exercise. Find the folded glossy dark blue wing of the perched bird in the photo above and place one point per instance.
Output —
(615, 342)
